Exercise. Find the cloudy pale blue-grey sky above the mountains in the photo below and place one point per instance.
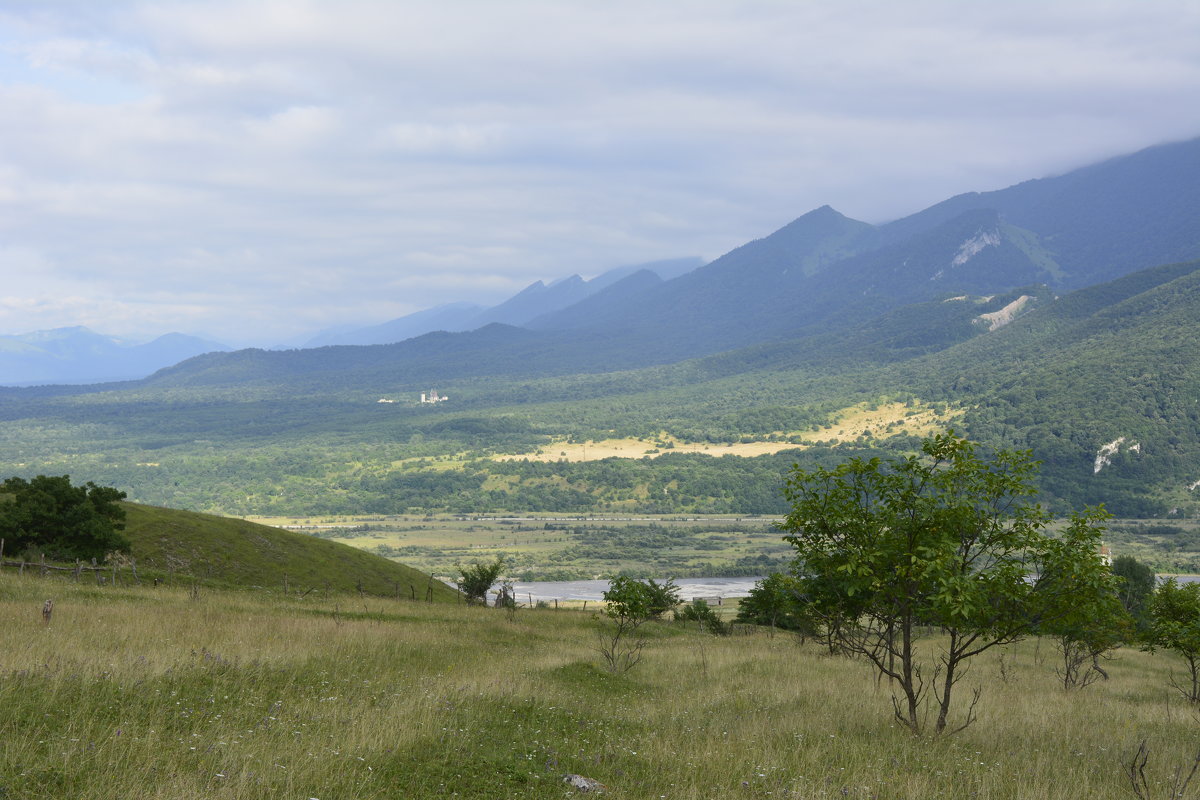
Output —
(255, 172)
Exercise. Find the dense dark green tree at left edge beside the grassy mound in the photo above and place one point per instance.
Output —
(51, 516)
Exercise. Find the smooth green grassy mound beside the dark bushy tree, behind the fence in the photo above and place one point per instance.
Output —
(235, 552)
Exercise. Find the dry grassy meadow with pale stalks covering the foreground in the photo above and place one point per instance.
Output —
(139, 693)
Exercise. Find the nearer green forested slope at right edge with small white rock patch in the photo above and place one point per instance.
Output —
(1103, 386)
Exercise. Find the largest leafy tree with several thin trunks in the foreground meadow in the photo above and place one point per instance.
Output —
(944, 539)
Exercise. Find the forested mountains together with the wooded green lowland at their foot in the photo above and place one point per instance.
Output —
(1057, 315)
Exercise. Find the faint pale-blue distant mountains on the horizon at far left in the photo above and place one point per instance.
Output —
(77, 356)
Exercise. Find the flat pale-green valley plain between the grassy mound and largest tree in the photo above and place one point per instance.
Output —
(548, 548)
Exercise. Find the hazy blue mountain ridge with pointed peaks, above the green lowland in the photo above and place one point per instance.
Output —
(820, 276)
